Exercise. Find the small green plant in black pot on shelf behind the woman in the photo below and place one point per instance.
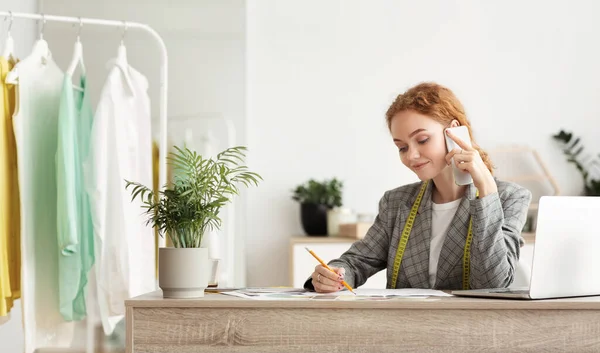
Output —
(316, 199)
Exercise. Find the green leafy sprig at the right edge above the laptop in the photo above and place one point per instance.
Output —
(588, 165)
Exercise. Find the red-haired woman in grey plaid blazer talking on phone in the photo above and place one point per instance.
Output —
(434, 233)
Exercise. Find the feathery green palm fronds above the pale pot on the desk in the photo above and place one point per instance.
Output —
(201, 187)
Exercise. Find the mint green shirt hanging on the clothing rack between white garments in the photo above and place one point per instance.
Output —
(74, 222)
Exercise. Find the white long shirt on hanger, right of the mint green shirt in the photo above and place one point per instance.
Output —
(120, 149)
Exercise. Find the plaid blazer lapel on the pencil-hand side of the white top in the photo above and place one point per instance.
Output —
(416, 256)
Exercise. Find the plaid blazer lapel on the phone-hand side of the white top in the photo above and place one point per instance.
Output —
(454, 244)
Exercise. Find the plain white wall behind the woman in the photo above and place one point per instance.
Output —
(321, 75)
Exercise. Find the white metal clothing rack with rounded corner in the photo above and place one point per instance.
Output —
(162, 101)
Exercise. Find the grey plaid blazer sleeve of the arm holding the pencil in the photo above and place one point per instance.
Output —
(367, 256)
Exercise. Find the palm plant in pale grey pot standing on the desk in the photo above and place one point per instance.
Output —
(189, 208)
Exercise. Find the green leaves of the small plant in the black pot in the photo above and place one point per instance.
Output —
(328, 192)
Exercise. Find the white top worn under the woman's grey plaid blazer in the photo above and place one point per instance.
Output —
(441, 217)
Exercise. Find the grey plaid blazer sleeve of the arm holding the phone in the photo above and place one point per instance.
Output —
(498, 219)
